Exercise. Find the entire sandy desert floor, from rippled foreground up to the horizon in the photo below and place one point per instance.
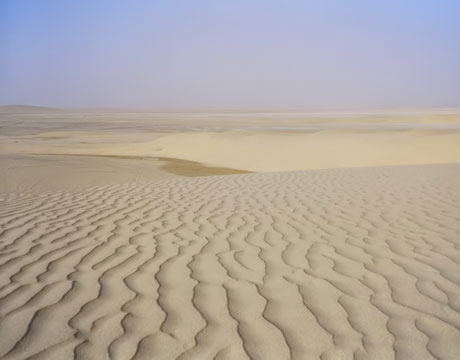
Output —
(223, 236)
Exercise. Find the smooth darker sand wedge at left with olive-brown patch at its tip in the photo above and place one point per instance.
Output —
(26, 173)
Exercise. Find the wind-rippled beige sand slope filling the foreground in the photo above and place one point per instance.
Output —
(325, 264)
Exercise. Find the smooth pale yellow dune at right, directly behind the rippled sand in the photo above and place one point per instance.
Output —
(288, 151)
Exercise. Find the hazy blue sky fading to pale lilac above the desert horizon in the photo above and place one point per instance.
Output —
(230, 54)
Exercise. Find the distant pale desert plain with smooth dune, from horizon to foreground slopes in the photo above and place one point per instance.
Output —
(255, 142)
